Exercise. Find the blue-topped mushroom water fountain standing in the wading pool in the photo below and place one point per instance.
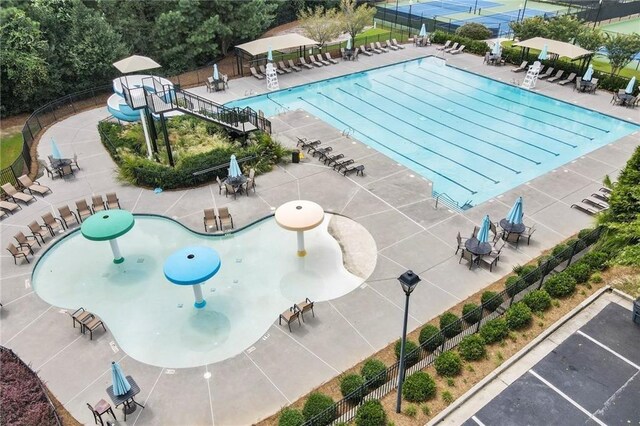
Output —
(192, 266)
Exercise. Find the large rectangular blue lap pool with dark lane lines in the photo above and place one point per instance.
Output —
(473, 137)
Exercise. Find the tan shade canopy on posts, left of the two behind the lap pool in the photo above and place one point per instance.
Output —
(256, 50)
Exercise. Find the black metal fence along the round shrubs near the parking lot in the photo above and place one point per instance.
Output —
(345, 409)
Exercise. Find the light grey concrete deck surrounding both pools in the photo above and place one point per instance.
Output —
(393, 203)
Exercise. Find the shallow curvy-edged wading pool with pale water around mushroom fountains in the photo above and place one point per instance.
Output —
(155, 322)
